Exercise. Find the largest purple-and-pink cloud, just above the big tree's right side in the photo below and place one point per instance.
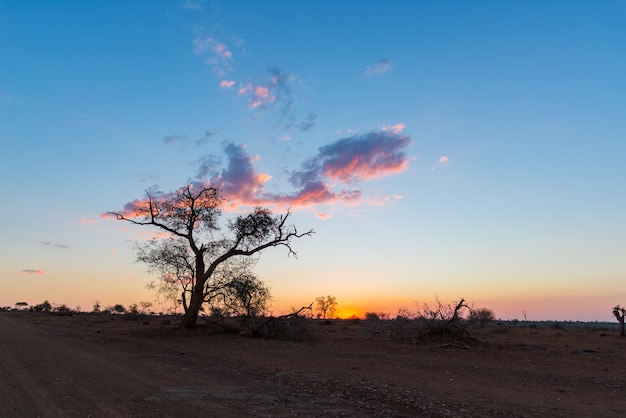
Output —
(358, 158)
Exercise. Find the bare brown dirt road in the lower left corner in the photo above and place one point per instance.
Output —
(51, 372)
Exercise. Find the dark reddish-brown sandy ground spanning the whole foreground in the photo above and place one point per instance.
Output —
(101, 366)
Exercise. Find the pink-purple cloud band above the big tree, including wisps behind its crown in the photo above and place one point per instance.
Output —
(331, 177)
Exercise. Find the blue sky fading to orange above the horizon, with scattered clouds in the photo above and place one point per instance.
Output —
(439, 150)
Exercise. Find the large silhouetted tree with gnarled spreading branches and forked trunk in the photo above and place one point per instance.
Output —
(196, 256)
